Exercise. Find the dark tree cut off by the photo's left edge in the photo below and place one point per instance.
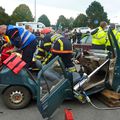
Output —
(4, 18)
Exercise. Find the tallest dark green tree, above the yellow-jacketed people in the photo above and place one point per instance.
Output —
(96, 14)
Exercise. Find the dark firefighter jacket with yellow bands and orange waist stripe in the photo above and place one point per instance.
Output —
(54, 44)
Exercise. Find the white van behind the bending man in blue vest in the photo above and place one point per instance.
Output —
(35, 25)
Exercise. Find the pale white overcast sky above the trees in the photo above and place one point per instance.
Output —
(69, 8)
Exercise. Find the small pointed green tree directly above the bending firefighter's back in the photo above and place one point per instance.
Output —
(62, 22)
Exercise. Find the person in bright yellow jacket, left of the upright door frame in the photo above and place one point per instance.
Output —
(99, 36)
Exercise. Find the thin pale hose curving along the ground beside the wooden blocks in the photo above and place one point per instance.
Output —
(89, 101)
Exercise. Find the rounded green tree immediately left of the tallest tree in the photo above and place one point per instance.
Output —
(80, 21)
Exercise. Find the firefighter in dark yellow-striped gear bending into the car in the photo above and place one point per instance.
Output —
(53, 45)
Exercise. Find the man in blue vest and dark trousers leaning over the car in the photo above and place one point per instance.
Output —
(22, 39)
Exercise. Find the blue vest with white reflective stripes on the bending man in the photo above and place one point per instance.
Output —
(19, 36)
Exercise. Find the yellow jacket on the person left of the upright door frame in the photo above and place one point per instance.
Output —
(99, 38)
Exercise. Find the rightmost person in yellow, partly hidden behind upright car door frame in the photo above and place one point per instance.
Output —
(117, 36)
